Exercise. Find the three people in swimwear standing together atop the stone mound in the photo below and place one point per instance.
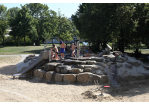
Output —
(62, 50)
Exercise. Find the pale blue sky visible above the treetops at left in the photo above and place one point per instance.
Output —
(66, 8)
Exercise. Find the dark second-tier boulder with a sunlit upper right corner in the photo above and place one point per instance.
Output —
(63, 69)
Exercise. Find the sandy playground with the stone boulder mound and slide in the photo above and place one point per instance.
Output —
(38, 78)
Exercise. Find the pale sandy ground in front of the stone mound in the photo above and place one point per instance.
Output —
(30, 90)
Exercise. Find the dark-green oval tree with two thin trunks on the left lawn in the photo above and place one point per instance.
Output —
(22, 24)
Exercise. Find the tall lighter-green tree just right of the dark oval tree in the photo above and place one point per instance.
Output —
(41, 16)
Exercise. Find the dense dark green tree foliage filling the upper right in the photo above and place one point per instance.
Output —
(108, 22)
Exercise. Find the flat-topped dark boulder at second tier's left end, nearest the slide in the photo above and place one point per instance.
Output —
(51, 66)
